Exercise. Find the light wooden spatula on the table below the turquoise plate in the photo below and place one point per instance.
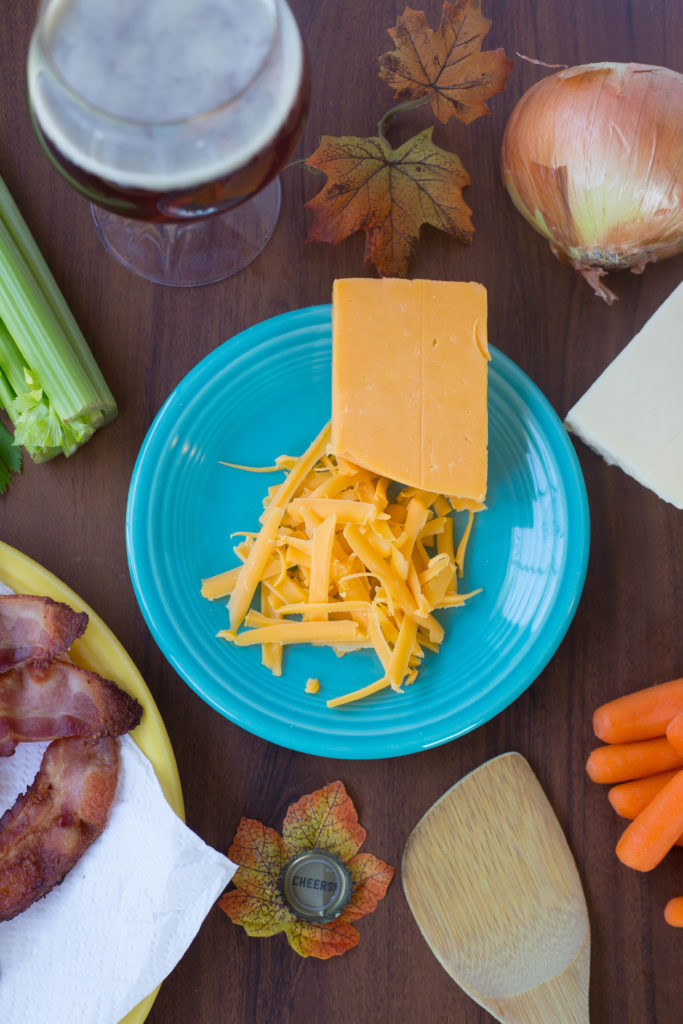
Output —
(493, 885)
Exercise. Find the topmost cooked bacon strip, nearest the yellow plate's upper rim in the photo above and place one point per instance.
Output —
(36, 629)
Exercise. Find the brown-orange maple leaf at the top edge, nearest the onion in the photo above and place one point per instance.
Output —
(447, 66)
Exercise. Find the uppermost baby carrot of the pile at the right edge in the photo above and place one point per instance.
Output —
(641, 715)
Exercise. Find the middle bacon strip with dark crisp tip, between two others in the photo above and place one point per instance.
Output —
(61, 701)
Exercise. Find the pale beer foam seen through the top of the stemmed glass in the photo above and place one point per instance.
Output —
(143, 68)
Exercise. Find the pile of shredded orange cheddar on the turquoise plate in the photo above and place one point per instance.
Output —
(344, 561)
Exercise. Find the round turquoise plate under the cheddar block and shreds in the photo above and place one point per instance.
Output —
(267, 393)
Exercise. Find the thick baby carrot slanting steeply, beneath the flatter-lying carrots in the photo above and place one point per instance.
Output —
(650, 837)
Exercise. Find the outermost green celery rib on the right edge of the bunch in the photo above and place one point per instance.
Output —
(25, 242)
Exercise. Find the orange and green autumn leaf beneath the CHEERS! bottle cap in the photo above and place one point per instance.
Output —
(324, 822)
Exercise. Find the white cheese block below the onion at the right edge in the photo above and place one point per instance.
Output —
(633, 415)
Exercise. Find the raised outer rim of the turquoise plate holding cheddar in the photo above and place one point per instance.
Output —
(243, 345)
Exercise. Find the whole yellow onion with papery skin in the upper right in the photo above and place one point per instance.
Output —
(593, 158)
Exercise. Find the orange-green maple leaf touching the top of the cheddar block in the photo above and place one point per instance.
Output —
(389, 194)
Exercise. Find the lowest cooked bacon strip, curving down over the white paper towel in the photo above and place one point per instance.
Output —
(57, 820)
